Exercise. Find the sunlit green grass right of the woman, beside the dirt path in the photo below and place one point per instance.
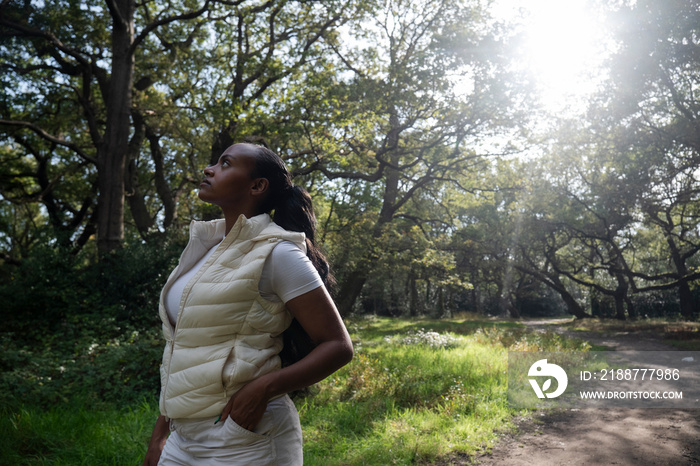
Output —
(403, 401)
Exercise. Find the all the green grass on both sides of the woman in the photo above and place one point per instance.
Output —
(419, 391)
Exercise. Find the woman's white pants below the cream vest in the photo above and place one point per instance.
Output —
(276, 440)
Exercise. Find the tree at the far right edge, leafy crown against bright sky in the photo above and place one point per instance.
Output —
(651, 104)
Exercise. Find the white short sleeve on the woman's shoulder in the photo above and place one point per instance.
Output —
(288, 273)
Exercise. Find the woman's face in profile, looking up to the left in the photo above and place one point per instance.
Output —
(228, 183)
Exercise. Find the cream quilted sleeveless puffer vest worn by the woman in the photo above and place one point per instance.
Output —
(226, 334)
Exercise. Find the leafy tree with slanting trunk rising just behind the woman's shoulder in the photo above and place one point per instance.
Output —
(403, 127)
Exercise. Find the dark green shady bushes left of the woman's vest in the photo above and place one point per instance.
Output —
(76, 329)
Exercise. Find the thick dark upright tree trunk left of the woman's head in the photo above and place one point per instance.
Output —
(113, 151)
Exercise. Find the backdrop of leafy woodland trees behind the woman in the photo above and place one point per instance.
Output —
(442, 181)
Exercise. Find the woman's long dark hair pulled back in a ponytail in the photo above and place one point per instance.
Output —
(292, 209)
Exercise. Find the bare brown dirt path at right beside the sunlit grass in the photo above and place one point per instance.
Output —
(603, 436)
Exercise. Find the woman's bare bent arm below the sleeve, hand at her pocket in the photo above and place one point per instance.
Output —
(319, 317)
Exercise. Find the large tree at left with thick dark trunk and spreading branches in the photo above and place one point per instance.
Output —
(113, 96)
